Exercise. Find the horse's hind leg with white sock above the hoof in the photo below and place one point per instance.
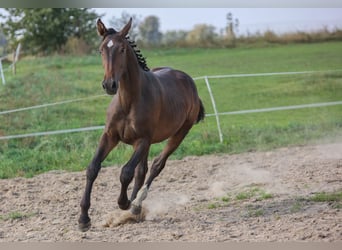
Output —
(157, 166)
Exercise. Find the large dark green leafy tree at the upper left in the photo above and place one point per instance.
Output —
(45, 31)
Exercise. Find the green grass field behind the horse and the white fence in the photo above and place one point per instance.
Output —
(52, 79)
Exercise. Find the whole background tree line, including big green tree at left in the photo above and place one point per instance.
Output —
(73, 31)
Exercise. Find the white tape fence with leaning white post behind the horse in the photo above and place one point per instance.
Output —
(206, 79)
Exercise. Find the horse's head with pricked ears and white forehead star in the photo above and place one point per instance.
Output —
(113, 50)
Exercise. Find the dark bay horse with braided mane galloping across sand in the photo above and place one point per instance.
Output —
(148, 106)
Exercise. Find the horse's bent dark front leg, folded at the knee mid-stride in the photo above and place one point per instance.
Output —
(139, 156)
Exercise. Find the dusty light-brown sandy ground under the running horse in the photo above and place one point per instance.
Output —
(194, 199)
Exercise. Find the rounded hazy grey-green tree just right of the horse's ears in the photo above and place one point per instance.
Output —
(149, 31)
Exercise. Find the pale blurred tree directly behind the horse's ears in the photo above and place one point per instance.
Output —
(120, 22)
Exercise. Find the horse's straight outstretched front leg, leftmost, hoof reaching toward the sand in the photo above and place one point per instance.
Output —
(106, 144)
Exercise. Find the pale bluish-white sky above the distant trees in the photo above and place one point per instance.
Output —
(251, 19)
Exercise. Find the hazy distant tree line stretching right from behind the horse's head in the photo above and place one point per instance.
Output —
(147, 33)
